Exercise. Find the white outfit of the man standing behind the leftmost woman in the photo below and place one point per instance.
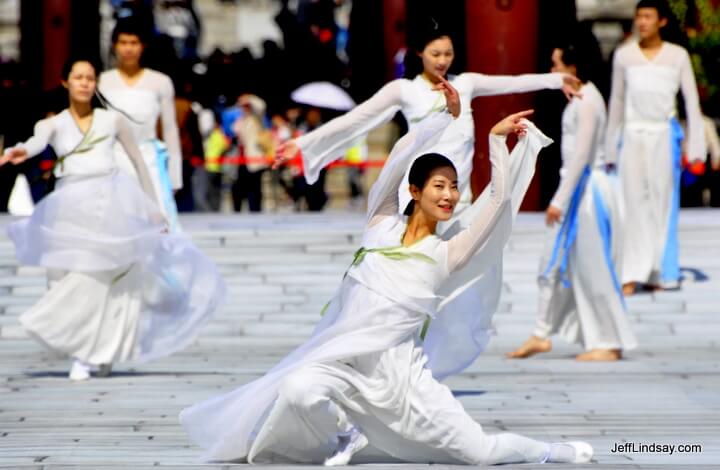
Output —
(149, 99)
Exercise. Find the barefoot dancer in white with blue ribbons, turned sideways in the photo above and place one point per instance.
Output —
(580, 293)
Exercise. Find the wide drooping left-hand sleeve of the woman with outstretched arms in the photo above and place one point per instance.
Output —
(325, 144)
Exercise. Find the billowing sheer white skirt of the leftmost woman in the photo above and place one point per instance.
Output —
(132, 292)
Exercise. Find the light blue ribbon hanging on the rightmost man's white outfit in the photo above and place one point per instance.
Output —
(670, 268)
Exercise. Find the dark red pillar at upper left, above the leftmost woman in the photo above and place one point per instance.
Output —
(56, 39)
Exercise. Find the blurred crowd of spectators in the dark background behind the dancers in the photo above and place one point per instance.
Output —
(234, 109)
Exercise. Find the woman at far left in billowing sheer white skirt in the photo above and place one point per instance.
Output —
(120, 288)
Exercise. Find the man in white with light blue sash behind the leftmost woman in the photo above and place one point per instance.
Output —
(145, 96)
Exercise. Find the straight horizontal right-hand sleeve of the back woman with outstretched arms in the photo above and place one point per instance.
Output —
(490, 85)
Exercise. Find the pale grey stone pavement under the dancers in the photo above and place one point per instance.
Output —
(281, 269)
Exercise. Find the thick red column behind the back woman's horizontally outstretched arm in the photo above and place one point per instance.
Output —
(501, 39)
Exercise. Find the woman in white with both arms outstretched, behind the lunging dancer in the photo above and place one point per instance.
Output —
(418, 98)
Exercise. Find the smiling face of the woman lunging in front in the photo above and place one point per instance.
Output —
(438, 198)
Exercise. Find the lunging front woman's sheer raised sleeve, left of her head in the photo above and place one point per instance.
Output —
(383, 197)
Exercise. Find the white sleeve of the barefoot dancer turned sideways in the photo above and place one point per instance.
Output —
(583, 155)
